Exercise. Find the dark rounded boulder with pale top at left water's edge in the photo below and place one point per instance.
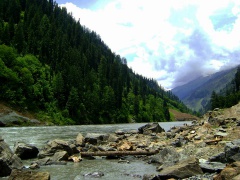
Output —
(25, 151)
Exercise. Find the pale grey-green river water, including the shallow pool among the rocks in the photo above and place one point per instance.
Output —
(38, 136)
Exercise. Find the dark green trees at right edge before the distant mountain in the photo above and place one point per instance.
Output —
(228, 96)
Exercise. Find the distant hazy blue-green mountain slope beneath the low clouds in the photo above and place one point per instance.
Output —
(196, 94)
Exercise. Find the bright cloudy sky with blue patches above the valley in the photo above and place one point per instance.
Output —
(172, 41)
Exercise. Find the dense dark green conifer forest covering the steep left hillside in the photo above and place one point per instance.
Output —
(51, 64)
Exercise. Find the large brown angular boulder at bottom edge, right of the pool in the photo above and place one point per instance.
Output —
(183, 169)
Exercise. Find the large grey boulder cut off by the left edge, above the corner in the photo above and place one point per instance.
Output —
(8, 160)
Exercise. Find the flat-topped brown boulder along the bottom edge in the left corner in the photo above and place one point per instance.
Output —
(28, 175)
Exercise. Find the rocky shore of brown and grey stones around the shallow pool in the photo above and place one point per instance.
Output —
(207, 149)
